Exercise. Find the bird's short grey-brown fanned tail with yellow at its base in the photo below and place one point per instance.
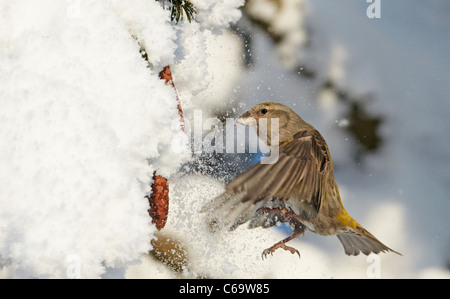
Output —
(357, 239)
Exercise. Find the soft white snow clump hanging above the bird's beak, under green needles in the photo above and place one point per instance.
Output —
(199, 78)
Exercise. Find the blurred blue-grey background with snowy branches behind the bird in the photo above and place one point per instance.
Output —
(377, 89)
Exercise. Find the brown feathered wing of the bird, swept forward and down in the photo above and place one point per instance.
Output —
(302, 171)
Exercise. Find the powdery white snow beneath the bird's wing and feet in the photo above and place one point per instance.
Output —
(235, 254)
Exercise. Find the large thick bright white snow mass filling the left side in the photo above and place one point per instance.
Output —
(84, 123)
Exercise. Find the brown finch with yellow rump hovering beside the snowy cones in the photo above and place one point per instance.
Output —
(298, 189)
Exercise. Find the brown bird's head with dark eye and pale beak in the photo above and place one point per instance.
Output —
(262, 115)
